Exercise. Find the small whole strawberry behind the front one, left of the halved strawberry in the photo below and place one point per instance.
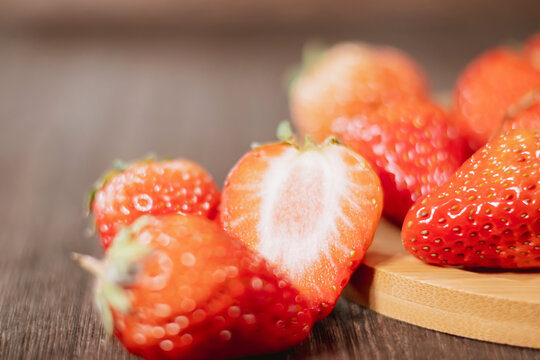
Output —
(151, 187)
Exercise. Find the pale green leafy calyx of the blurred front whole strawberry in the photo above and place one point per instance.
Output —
(119, 268)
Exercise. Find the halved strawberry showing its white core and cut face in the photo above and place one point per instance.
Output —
(311, 210)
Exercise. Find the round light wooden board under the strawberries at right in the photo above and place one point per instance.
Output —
(502, 307)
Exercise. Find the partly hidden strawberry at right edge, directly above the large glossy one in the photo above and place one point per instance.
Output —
(524, 114)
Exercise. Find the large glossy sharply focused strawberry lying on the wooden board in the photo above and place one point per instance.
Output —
(488, 214)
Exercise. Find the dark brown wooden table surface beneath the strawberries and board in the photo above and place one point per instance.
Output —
(70, 104)
